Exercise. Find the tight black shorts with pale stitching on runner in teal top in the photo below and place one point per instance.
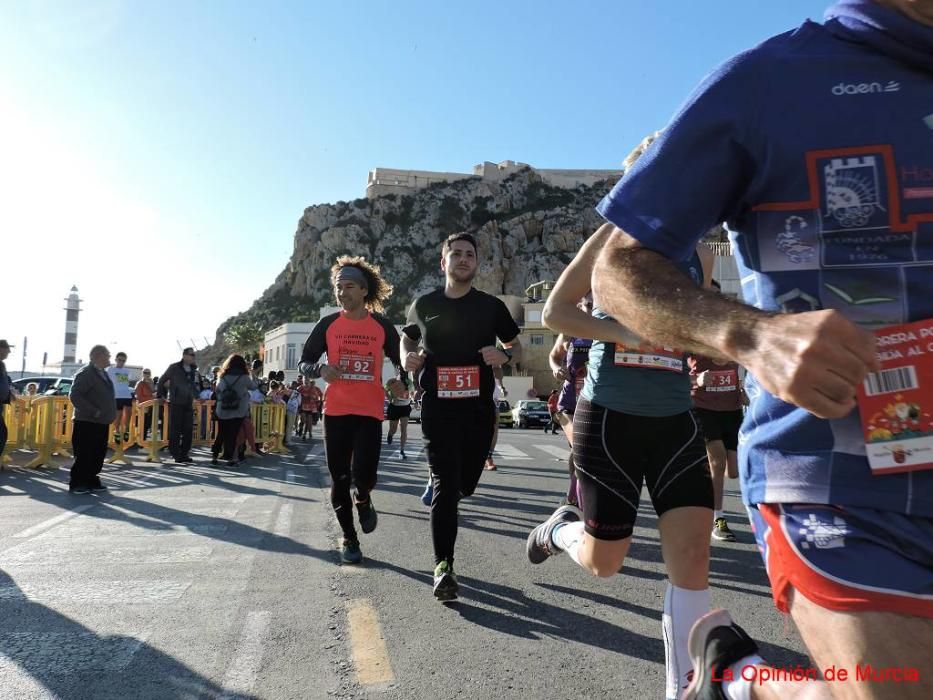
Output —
(615, 453)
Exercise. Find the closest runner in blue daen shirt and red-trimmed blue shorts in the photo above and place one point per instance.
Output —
(813, 147)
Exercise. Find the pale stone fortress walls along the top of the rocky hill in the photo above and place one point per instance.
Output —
(392, 181)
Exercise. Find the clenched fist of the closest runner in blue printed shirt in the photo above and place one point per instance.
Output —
(814, 360)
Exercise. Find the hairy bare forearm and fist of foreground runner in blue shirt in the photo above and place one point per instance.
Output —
(814, 360)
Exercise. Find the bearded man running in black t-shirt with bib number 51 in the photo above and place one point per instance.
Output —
(456, 329)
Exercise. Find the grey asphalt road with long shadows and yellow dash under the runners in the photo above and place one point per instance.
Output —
(203, 582)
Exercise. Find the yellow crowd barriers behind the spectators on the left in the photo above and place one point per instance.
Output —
(43, 425)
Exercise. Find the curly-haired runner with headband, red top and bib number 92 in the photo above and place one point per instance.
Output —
(355, 340)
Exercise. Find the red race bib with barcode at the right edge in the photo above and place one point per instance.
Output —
(895, 404)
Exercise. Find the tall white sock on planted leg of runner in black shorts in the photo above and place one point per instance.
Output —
(682, 608)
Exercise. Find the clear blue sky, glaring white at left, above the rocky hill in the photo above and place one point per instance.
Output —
(175, 144)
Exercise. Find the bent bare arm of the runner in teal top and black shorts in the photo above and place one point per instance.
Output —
(561, 312)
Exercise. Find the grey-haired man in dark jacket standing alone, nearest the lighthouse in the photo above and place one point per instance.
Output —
(95, 408)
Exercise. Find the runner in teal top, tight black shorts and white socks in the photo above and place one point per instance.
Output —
(632, 425)
